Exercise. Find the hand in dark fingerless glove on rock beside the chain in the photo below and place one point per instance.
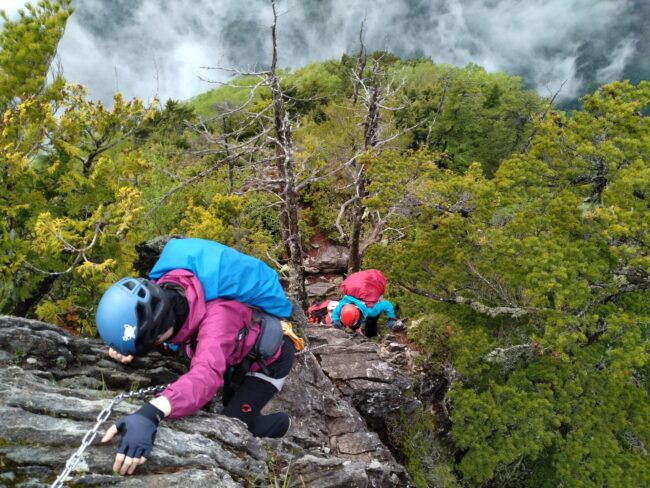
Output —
(138, 435)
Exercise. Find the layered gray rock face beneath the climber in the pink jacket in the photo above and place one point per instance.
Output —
(53, 385)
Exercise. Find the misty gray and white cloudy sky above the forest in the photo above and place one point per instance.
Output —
(144, 47)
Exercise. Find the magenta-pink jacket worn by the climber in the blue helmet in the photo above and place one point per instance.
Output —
(215, 325)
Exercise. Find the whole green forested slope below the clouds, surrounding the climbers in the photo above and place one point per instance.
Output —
(514, 236)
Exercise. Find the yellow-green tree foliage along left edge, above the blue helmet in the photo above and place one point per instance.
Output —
(69, 180)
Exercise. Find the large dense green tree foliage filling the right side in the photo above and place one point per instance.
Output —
(543, 273)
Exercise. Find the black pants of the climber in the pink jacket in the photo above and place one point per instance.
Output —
(254, 393)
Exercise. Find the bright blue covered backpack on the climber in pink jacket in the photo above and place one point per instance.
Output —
(225, 273)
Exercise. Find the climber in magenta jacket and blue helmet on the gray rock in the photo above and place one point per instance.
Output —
(218, 335)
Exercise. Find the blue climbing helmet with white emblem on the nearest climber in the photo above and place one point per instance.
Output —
(132, 315)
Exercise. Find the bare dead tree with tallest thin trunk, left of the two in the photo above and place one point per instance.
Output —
(262, 141)
